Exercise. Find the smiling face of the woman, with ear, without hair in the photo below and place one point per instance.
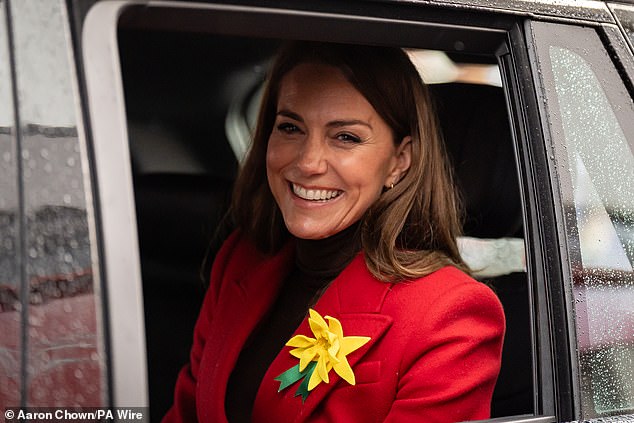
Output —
(329, 154)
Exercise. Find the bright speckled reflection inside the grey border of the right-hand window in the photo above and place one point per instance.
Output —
(601, 165)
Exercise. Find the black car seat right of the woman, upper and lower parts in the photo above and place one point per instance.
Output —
(475, 125)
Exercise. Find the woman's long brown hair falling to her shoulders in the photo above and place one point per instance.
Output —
(411, 230)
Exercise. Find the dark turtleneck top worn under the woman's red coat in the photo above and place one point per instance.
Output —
(317, 263)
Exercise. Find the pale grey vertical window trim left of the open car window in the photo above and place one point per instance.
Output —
(120, 259)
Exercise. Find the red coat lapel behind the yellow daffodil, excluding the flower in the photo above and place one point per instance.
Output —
(355, 298)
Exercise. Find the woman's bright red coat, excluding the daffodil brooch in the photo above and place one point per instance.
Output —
(434, 353)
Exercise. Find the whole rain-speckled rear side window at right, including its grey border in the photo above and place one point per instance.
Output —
(592, 117)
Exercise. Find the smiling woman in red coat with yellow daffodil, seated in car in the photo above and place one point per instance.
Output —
(342, 296)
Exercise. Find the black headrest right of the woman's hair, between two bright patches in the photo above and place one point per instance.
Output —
(475, 126)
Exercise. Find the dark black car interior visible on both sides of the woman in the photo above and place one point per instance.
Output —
(189, 98)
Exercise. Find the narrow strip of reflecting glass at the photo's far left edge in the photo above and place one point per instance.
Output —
(9, 233)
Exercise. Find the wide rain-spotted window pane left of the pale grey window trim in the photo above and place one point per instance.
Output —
(64, 341)
